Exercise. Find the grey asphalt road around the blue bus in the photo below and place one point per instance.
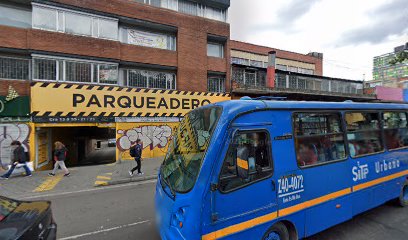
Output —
(126, 211)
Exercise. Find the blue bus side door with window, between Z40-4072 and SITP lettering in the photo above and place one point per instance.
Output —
(320, 153)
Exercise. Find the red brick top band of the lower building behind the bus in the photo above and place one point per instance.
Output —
(247, 47)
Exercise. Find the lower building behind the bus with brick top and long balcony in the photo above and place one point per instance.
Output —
(263, 71)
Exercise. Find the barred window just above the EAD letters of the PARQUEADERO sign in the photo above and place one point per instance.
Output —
(151, 79)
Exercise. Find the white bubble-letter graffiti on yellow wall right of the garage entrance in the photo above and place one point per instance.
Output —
(151, 137)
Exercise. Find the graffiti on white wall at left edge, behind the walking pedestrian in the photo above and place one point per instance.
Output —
(9, 133)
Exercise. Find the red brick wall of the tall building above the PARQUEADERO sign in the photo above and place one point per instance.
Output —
(190, 57)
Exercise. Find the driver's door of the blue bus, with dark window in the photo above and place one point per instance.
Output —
(245, 187)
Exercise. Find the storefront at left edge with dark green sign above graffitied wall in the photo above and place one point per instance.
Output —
(14, 118)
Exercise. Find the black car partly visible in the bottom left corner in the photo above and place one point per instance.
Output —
(26, 220)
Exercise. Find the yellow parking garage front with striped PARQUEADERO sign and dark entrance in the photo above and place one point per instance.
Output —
(98, 124)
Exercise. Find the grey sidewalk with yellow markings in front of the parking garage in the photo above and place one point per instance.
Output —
(84, 177)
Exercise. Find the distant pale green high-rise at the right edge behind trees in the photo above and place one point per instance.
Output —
(391, 75)
